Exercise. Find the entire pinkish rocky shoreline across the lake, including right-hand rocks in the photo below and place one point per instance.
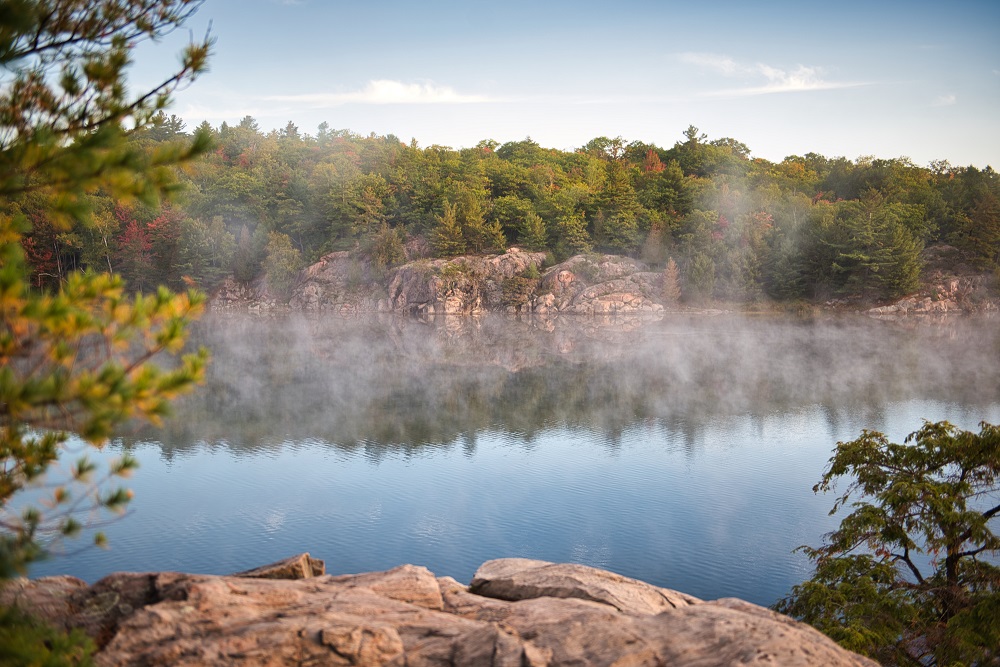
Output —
(514, 282)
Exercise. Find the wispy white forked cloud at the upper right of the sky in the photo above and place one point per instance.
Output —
(772, 79)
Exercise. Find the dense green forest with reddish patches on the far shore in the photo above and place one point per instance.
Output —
(737, 227)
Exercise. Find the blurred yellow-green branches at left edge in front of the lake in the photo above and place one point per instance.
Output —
(77, 360)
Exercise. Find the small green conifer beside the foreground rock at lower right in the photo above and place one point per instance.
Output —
(908, 577)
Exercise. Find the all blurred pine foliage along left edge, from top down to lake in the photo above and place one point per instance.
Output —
(78, 359)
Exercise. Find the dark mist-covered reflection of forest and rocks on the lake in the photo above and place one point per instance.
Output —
(388, 383)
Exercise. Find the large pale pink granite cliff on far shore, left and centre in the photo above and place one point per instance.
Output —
(468, 285)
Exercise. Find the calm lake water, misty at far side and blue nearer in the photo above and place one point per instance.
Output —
(681, 452)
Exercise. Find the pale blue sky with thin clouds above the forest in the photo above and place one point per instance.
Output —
(875, 78)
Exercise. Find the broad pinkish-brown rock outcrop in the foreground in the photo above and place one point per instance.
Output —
(517, 612)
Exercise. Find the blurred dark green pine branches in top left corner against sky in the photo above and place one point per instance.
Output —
(63, 105)
